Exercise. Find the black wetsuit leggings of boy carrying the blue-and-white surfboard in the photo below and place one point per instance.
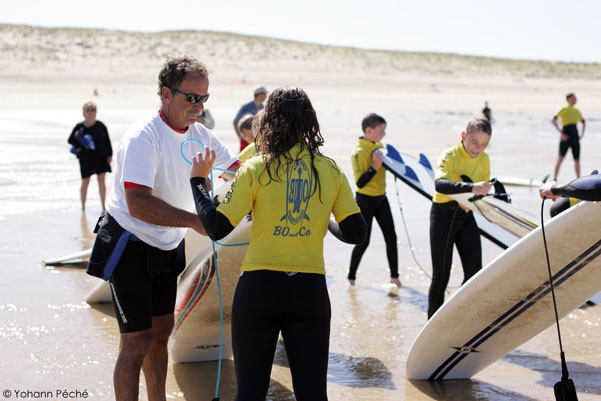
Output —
(378, 207)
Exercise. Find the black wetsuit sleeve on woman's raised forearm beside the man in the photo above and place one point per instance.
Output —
(216, 224)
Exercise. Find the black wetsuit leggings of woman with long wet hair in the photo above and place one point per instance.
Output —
(266, 303)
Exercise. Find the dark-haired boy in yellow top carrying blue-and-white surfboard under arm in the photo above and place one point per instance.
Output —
(370, 178)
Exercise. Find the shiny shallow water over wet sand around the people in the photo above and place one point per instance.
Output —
(51, 339)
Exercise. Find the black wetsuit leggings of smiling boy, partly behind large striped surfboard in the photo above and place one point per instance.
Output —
(450, 225)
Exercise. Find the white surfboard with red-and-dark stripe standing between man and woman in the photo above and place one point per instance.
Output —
(195, 336)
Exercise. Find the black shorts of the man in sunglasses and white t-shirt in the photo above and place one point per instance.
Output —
(144, 284)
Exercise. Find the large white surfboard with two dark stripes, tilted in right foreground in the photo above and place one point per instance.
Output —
(509, 301)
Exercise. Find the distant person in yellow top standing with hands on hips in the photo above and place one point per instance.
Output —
(569, 116)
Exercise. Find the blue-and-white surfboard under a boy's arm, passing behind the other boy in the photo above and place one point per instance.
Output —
(419, 175)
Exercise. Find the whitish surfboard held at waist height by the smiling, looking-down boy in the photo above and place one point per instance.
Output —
(517, 221)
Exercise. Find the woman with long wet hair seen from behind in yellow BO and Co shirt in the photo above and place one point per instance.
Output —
(291, 190)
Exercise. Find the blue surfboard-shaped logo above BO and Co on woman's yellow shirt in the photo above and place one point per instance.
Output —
(299, 181)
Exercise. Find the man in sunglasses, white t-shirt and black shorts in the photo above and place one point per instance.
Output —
(151, 200)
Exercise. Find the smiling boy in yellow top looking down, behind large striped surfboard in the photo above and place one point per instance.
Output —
(450, 222)
